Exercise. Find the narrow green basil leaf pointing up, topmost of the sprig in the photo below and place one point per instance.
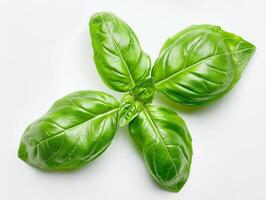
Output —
(117, 53)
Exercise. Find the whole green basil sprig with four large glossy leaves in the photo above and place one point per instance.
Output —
(194, 67)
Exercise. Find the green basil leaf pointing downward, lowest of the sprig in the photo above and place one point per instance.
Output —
(163, 139)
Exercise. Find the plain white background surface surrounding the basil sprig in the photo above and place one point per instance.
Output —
(45, 53)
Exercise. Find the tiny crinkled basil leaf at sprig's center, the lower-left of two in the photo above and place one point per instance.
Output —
(129, 109)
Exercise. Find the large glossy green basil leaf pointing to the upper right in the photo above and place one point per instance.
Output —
(200, 64)
